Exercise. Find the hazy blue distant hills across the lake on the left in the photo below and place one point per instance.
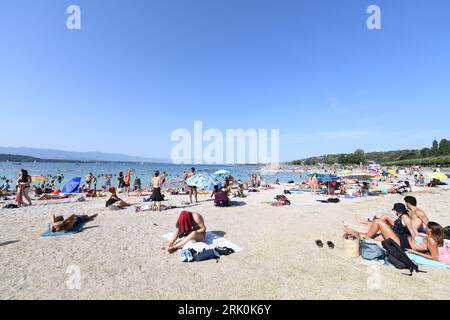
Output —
(77, 156)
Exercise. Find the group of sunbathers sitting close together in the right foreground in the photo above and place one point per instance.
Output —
(411, 229)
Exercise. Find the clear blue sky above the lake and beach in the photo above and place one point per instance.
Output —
(140, 69)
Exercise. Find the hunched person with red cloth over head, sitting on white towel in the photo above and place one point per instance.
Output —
(190, 226)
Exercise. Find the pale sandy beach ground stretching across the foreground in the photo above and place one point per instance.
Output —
(119, 255)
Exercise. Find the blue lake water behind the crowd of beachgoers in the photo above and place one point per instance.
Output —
(144, 171)
